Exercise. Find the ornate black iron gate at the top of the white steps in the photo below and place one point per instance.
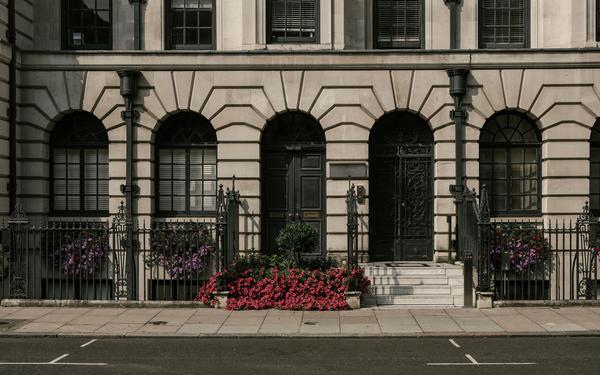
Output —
(401, 202)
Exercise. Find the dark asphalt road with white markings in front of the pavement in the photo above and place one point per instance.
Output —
(525, 355)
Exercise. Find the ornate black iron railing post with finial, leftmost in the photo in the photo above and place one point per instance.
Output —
(19, 230)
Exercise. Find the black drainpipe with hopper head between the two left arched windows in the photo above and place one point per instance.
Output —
(129, 88)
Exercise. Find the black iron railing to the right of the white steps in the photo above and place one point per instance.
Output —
(547, 260)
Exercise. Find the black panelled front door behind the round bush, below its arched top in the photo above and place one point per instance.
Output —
(292, 191)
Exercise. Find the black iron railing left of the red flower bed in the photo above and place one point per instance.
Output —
(102, 260)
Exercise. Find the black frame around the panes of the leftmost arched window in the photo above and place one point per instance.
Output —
(81, 147)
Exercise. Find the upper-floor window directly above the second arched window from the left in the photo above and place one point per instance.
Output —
(190, 24)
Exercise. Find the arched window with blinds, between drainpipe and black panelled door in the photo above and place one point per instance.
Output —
(186, 166)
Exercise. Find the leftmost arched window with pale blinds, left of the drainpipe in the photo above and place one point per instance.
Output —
(79, 157)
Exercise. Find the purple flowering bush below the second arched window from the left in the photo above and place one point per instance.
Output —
(182, 249)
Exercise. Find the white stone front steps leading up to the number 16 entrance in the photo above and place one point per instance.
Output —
(414, 284)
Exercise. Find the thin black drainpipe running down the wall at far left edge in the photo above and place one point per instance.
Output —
(12, 108)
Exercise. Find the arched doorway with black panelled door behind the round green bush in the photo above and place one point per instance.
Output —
(293, 176)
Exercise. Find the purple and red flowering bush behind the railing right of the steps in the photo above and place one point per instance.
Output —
(523, 247)
